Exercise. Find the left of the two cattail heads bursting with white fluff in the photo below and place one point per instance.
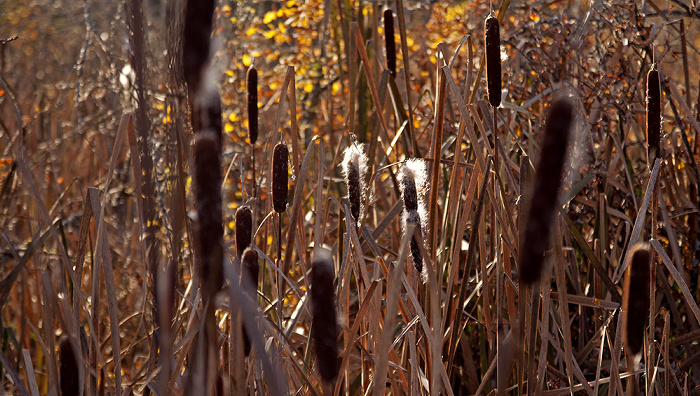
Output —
(354, 168)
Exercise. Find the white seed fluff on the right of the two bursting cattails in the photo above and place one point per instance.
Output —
(415, 169)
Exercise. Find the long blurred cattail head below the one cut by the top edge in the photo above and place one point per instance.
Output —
(209, 224)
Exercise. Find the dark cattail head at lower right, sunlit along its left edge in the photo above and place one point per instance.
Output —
(635, 299)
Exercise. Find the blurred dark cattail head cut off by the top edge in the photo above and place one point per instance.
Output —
(199, 19)
